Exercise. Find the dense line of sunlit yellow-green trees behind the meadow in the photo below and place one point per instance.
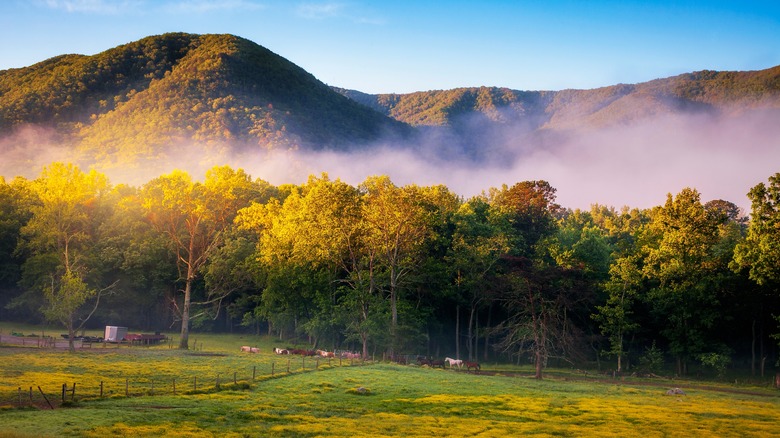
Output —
(507, 275)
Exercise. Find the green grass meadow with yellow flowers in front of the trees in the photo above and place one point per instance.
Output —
(372, 400)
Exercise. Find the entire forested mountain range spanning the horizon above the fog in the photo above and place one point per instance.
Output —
(139, 100)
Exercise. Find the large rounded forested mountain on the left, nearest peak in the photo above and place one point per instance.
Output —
(142, 97)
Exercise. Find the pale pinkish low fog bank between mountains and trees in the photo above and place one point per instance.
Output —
(634, 165)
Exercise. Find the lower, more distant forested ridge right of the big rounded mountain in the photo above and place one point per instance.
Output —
(726, 92)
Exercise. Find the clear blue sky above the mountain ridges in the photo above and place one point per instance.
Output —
(404, 46)
